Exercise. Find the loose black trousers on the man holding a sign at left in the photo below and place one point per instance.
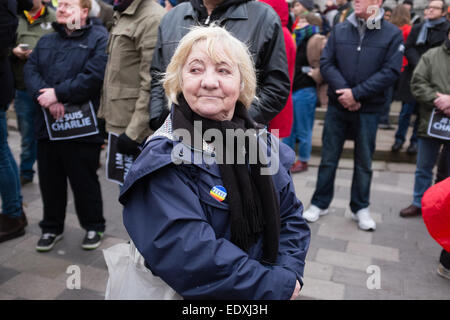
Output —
(78, 162)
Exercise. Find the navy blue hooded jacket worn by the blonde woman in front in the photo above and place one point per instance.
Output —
(184, 233)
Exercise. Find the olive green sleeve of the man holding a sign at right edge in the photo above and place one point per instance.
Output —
(421, 87)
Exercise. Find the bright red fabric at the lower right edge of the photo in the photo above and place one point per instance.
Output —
(436, 212)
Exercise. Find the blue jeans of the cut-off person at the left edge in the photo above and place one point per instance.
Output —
(9, 174)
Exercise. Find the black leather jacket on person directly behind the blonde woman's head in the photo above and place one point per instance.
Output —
(252, 22)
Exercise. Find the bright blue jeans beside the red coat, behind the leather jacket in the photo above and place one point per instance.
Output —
(304, 109)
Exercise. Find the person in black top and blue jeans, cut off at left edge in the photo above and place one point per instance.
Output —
(12, 217)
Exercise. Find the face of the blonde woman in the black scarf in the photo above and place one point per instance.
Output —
(211, 89)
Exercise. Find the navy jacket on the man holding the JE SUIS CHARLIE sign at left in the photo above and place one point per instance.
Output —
(72, 64)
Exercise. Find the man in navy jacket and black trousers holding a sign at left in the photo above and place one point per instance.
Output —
(67, 67)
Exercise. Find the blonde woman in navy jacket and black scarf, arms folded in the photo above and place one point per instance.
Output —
(214, 229)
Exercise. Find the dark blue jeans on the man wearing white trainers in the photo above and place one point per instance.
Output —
(337, 124)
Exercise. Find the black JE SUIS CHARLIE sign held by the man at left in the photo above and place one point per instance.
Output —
(78, 121)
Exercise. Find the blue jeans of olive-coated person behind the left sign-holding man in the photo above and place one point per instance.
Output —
(26, 110)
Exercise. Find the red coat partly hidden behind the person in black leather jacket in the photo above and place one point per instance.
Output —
(283, 121)
